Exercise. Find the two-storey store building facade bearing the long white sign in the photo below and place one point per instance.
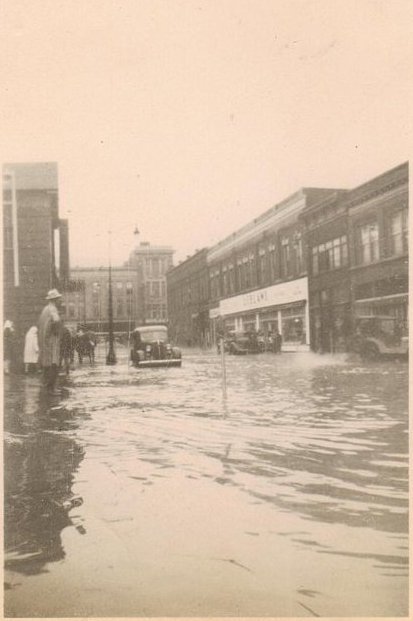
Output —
(258, 275)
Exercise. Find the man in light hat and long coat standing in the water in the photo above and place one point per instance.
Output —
(50, 328)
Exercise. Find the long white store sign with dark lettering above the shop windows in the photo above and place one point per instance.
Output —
(284, 293)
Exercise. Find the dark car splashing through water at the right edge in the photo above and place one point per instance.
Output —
(380, 335)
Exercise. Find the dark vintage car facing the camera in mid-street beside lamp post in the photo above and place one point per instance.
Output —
(151, 348)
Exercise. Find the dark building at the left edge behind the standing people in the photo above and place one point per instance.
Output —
(35, 243)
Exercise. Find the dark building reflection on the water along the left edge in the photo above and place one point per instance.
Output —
(38, 477)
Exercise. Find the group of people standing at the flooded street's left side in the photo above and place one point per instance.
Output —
(50, 346)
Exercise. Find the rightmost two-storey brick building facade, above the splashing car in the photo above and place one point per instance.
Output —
(378, 244)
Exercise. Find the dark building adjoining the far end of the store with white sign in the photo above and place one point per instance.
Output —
(188, 301)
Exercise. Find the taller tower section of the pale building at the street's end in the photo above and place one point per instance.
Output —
(151, 264)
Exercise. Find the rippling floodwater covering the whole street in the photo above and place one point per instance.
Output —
(146, 493)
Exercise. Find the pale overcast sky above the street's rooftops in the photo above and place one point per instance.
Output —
(189, 118)
